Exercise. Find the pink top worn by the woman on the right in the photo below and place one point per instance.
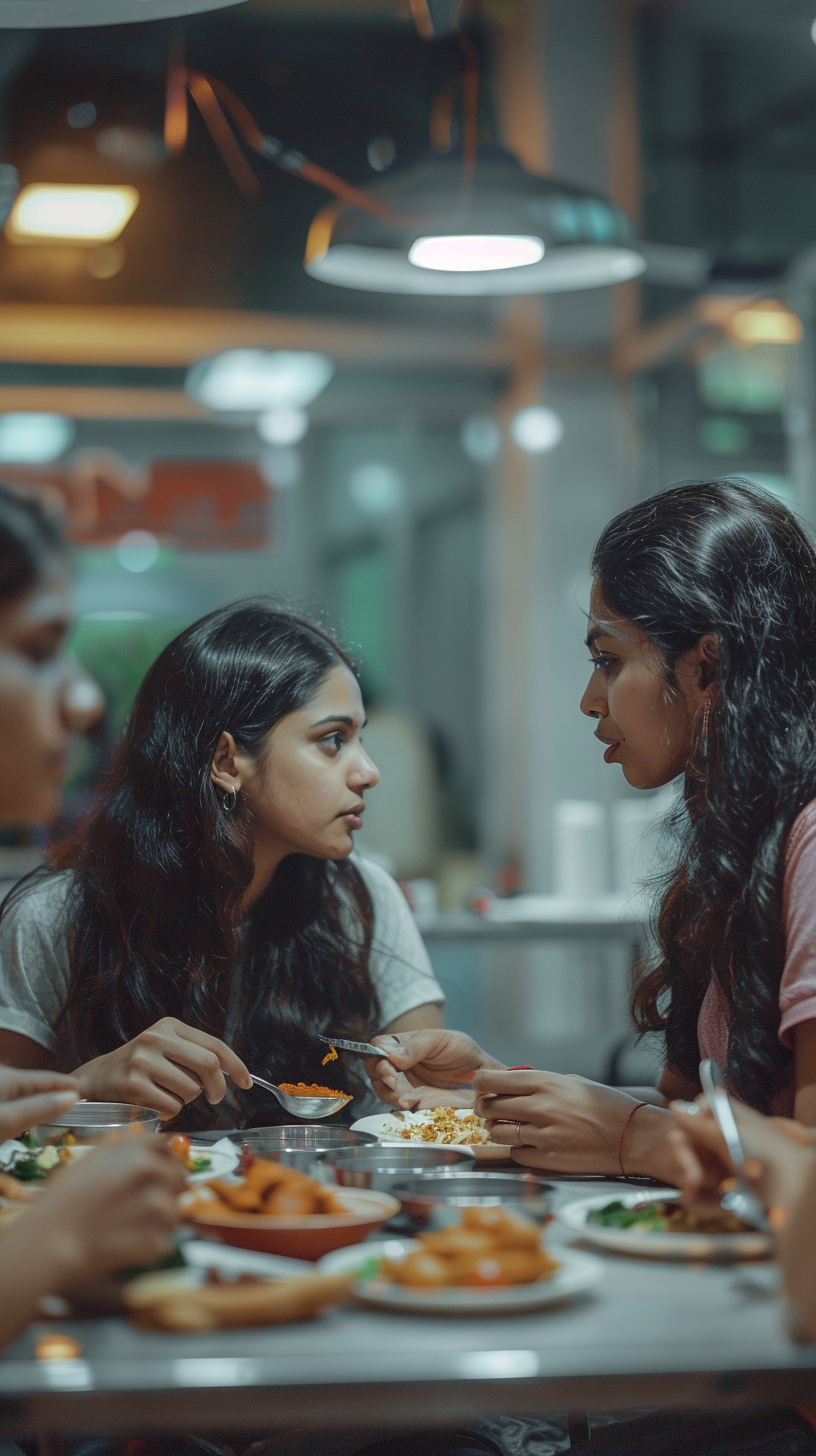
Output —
(798, 989)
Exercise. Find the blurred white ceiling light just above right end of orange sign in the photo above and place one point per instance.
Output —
(260, 381)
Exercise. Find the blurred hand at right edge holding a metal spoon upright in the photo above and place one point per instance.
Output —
(780, 1154)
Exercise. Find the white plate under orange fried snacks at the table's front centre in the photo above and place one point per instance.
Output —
(578, 1273)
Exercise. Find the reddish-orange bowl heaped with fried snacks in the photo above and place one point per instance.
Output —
(308, 1237)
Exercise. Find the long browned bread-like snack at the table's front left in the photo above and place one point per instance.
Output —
(235, 1307)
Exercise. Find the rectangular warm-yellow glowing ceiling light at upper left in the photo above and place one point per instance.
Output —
(60, 213)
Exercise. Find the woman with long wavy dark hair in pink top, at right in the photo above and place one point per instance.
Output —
(703, 641)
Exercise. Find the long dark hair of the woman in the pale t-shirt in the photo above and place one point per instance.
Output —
(160, 870)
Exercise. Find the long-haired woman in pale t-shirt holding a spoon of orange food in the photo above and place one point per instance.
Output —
(211, 917)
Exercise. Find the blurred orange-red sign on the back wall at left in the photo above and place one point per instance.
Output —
(190, 505)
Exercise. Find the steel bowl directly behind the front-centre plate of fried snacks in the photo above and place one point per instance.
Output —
(435, 1198)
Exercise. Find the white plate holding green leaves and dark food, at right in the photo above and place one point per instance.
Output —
(659, 1246)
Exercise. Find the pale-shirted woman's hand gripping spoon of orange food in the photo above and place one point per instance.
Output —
(164, 1068)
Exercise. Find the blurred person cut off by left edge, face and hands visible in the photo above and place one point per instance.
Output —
(117, 1206)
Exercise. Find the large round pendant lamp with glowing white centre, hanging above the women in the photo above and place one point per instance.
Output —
(506, 232)
